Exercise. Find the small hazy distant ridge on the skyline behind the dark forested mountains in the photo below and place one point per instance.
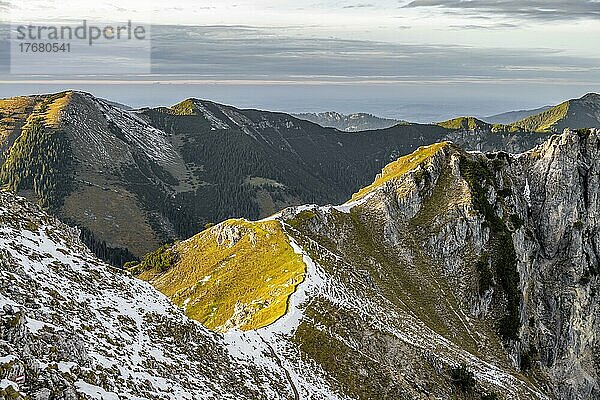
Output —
(349, 122)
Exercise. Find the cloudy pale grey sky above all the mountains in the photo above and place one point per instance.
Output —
(421, 60)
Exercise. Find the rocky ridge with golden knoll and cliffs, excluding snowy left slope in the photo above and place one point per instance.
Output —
(447, 260)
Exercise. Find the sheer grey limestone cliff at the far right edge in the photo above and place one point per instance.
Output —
(561, 309)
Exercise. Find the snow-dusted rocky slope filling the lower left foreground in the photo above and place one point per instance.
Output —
(72, 327)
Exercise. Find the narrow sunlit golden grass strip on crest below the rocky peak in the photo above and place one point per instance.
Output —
(400, 167)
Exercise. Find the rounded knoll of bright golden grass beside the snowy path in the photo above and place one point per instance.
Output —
(243, 283)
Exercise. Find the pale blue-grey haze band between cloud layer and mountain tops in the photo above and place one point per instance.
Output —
(415, 104)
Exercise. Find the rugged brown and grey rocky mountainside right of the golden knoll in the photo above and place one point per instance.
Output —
(488, 260)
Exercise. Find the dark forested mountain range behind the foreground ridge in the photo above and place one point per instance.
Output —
(132, 180)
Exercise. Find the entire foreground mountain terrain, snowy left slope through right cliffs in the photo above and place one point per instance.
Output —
(453, 274)
